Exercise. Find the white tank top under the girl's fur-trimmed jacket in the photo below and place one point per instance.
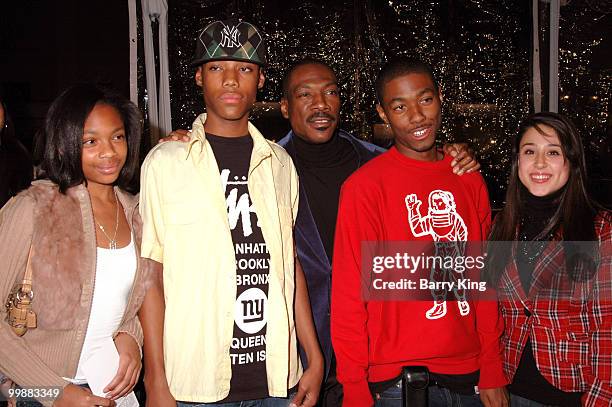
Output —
(115, 271)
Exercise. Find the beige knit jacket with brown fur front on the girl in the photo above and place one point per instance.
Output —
(61, 230)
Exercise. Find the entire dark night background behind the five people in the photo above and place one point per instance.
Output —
(480, 50)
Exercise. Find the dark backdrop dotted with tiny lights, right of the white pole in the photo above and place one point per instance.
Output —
(480, 51)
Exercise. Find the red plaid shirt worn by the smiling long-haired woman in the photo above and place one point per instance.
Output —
(570, 324)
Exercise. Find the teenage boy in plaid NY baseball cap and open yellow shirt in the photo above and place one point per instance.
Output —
(218, 214)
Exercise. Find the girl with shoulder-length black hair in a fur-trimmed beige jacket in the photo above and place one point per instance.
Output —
(81, 231)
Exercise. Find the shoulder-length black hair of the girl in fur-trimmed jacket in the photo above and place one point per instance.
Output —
(59, 144)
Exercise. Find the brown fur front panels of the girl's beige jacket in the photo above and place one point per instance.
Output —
(63, 259)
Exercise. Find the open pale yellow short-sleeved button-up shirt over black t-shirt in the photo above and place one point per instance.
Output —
(186, 228)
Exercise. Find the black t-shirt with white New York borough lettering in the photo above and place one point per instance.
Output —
(248, 348)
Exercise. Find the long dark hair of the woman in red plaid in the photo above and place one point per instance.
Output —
(575, 215)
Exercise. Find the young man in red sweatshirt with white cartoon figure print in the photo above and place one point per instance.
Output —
(410, 194)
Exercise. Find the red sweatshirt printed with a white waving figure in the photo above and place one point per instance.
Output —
(373, 340)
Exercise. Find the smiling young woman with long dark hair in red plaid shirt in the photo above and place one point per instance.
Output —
(555, 296)
